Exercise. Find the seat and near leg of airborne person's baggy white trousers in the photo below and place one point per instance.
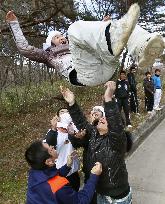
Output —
(90, 55)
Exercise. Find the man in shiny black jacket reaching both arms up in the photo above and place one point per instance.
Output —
(107, 143)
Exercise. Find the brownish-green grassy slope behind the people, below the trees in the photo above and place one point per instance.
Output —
(21, 125)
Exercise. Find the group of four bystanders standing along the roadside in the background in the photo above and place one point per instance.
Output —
(127, 94)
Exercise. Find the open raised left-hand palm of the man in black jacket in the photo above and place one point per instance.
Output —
(68, 95)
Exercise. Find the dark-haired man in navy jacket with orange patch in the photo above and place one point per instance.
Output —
(47, 185)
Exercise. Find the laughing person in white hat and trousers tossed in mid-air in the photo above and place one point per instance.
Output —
(91, 57)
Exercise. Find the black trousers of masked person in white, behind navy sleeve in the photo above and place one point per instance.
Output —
(74, 181)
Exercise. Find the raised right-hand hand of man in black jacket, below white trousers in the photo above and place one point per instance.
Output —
(109, 92)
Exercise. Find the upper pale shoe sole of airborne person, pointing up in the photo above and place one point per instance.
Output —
(134, 12)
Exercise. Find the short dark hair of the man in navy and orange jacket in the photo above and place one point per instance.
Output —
(36, 155)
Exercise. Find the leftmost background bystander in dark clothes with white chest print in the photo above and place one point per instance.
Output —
(122, 96)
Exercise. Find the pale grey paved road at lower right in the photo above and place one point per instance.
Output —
(146, 169)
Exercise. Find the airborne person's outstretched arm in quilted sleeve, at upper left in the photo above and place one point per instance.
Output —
(24, 48)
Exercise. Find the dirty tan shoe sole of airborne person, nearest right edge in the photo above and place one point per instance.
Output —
(153, 50)
